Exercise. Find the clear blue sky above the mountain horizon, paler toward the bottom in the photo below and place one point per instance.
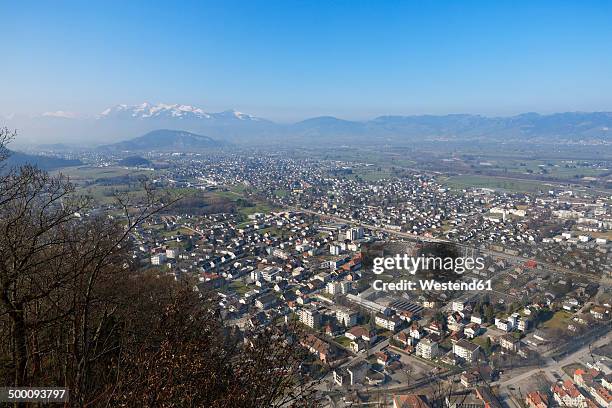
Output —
(287, 60)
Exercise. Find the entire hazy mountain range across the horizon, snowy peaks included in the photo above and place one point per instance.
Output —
(124, 121)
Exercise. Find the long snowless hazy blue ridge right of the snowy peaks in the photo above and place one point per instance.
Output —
(526, 127)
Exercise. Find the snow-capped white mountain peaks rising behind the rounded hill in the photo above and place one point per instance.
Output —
(169, 111)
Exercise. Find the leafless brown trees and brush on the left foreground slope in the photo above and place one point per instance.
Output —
(76, 311)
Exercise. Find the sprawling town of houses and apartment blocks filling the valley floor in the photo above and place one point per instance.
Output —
(284, 240)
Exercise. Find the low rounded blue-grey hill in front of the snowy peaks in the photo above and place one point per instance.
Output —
(166, 140)
